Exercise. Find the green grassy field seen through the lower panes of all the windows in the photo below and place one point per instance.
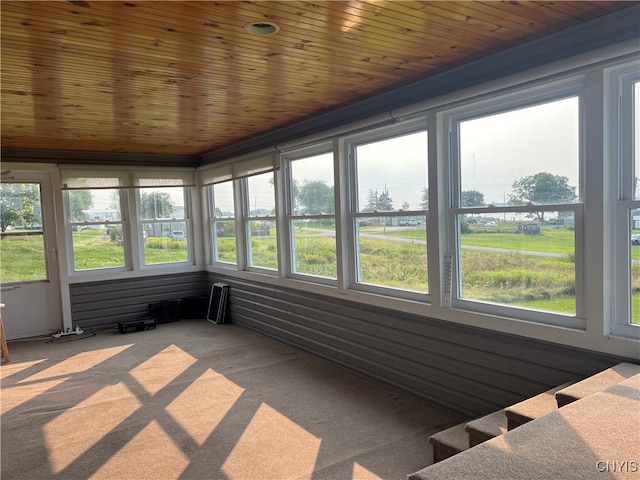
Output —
(531, 271)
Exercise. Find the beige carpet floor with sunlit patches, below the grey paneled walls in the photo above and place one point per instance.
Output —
(194, 400)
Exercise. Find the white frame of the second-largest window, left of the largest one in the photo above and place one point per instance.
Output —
(354, 216)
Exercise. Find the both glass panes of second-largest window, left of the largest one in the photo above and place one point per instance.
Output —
(390, 203)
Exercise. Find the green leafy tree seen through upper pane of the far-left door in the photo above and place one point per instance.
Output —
(20, 205)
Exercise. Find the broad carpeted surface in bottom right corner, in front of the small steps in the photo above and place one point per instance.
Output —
(572, 443)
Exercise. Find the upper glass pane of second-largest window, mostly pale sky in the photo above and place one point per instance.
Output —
(392, 174)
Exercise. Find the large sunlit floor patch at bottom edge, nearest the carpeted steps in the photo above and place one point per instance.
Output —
(272, 446)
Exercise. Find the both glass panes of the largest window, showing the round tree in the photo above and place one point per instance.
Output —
(516, 205)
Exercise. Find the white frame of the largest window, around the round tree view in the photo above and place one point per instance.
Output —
(518, 98)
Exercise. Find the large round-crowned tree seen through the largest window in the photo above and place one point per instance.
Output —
(542, 188)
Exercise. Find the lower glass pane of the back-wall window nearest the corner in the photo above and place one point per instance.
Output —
(165, 242)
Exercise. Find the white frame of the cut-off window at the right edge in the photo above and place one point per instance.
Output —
(620, 81)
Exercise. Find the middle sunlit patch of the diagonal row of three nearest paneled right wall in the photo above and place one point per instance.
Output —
(203, 404)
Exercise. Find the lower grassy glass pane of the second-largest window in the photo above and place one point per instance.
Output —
(393, 255)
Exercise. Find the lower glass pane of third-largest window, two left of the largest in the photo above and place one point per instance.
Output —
(314, 243)
